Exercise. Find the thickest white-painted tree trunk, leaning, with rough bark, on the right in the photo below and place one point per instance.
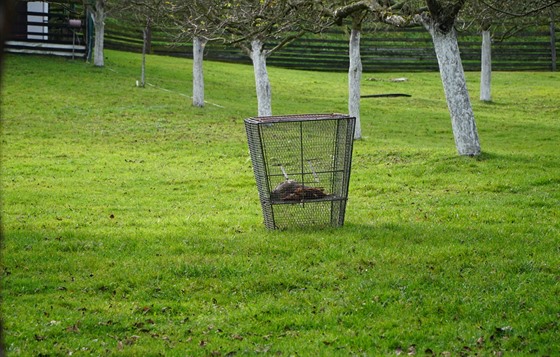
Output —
(456, 93)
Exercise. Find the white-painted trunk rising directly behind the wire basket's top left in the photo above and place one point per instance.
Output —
(262, 82)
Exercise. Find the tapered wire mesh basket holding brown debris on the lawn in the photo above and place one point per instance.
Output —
(302, 167)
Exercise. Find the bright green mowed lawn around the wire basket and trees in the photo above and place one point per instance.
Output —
(131, 222)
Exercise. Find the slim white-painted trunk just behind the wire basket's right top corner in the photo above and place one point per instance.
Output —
(354, 81)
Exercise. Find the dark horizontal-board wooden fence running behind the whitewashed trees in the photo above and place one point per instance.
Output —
(388, 49)
